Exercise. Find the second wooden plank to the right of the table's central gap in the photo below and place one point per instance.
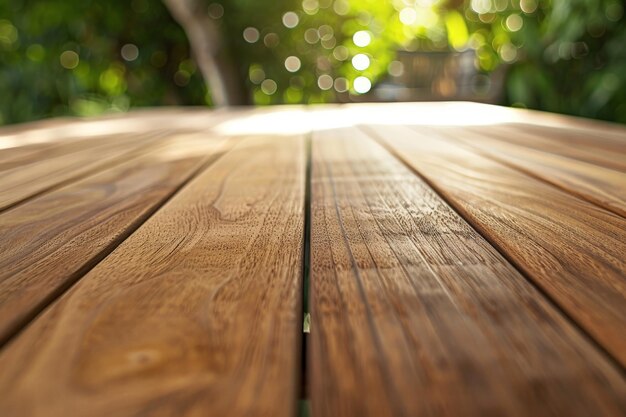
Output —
(572, 249)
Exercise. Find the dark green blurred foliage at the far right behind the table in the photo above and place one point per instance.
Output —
(572, 59)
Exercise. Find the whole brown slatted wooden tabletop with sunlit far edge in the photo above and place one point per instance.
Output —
(449, 259)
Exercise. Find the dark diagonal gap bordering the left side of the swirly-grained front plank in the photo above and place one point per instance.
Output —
(74, 278)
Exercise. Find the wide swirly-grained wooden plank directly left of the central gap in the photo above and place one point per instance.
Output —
(197, 313)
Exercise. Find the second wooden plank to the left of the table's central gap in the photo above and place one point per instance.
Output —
(50, 241)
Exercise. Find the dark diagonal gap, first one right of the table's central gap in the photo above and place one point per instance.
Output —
(482, 232)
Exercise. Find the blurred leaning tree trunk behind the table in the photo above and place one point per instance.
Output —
(214, 62)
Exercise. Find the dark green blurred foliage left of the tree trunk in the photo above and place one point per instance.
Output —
(62, 57)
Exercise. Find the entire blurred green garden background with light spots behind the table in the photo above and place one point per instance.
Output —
(82, 57)
